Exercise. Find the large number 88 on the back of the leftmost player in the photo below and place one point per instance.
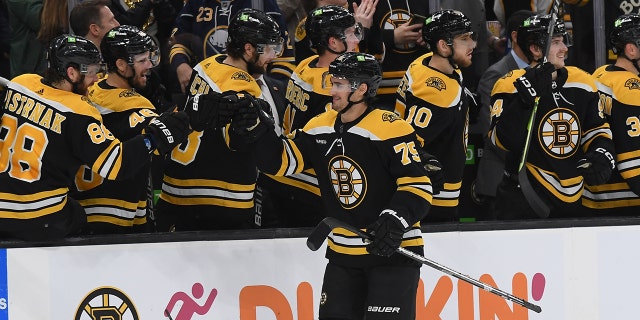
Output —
(22, 149)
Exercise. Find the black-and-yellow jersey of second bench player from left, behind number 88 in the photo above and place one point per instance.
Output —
(123, 203)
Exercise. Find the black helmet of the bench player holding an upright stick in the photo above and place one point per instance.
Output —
(534, 31)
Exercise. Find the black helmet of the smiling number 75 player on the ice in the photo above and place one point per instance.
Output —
(357, 68)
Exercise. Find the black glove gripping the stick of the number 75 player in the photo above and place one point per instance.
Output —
(387, 233)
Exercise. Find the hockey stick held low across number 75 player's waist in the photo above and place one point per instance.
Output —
(324, 228)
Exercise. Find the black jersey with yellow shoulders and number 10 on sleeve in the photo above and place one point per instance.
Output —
(433, 103)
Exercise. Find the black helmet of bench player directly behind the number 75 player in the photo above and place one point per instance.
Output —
(325, 22)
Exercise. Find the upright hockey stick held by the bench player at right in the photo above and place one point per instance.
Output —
(535, 202)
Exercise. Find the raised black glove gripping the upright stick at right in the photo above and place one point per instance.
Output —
(536, 82)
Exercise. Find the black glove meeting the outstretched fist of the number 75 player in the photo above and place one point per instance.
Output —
(211, 110)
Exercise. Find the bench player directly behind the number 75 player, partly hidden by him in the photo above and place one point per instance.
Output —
(332, 31)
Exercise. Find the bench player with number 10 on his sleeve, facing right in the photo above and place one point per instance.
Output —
(431, 97)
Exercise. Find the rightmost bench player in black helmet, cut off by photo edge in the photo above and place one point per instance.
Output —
(616, 85)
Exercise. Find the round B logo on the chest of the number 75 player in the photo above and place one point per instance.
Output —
(348, 180)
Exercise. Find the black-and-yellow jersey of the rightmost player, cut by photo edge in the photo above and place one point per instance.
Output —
(620, 102)
